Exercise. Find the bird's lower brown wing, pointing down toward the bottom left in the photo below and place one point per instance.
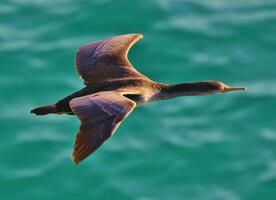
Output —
(100, 115)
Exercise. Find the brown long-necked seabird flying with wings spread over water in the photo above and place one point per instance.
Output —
(113, 89)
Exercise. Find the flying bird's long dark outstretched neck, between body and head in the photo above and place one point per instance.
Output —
(183, 89)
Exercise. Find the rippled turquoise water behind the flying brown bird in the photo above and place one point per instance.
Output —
(202, 148)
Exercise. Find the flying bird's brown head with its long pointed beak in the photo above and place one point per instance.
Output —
(219, 87)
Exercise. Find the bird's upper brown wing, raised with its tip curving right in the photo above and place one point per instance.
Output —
(107, 59)
